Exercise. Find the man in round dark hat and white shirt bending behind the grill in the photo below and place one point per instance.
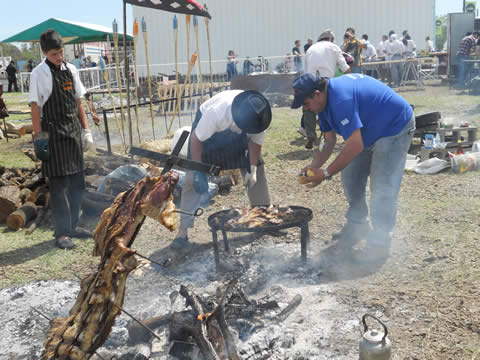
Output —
(228, 131)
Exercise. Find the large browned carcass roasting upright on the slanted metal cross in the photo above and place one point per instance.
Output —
(101, 295)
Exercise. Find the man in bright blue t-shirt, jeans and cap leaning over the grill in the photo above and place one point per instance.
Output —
(377, 125)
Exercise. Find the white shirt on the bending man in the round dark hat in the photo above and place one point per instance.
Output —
(217, 117)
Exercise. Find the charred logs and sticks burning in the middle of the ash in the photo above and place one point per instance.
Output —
(205, 327)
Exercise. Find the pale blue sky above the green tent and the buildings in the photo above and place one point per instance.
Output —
(29, 13)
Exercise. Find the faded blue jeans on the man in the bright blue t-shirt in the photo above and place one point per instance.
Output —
(384, 162)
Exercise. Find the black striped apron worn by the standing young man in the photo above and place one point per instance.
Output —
(60, 120)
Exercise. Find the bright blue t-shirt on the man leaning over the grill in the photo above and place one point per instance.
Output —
(357, 101)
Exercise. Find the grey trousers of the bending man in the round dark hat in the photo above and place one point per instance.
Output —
(191, 200)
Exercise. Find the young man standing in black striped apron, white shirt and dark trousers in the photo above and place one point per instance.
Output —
(60, 135)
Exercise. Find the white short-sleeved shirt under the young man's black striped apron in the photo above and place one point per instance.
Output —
(41, 84)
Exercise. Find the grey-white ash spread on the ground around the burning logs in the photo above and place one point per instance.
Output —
(319, 328)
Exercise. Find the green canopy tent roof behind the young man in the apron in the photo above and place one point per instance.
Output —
(71, 32)
